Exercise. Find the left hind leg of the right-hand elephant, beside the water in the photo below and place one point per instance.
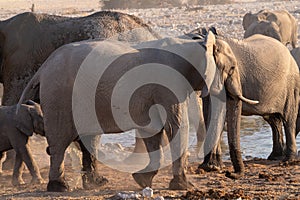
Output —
(277, 135)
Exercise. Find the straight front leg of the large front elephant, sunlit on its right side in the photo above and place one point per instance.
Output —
(177, 131)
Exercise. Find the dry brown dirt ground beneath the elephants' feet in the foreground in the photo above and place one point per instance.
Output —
(263, 180)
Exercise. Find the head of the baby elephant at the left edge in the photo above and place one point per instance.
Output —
(30, 119)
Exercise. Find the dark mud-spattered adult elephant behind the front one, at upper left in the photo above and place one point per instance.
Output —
(27, 39)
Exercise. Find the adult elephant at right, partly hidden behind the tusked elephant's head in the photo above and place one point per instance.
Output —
(273, 81)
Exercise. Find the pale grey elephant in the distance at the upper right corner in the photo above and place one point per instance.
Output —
(279, 24)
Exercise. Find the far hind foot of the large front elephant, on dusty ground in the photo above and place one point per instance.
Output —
(93, 180)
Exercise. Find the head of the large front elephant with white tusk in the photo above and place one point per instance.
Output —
(228, 67)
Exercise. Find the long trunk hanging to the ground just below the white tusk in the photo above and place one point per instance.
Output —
(233, 116)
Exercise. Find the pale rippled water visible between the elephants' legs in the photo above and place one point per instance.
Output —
(256, 139)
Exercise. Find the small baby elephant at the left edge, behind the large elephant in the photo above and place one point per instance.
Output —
(15, 129)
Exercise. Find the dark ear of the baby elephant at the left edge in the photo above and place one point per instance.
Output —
(23, 121)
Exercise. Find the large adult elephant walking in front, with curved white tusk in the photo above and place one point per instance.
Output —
(125, 89)
